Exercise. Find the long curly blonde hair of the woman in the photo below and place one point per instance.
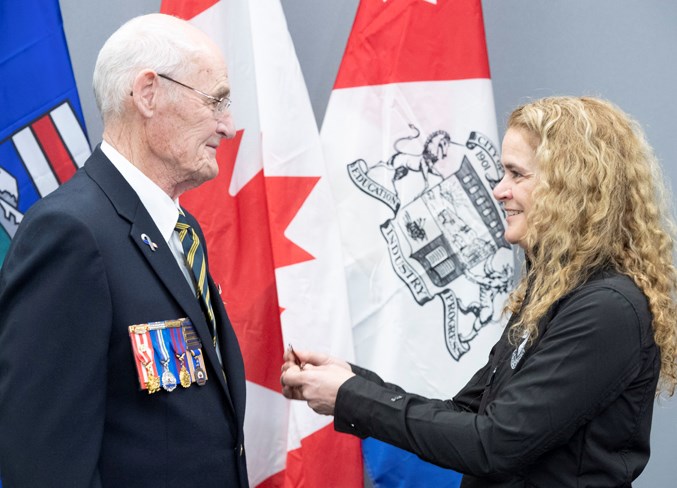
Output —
(599, 201)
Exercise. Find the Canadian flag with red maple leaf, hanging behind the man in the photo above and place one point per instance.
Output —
(273, 243)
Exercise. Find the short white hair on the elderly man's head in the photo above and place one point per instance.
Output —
(159, 42)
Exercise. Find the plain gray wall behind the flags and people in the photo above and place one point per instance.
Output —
(623, 50)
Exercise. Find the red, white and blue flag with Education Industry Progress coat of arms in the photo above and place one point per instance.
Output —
(411, 144)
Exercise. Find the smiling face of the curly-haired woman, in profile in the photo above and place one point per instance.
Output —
(515, 188)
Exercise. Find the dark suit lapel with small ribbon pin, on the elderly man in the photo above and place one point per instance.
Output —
(161, 260)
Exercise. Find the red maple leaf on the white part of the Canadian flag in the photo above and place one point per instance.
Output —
(246, 243)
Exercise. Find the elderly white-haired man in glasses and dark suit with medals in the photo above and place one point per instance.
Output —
(118, 364)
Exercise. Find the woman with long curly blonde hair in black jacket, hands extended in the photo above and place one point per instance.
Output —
(567, 394)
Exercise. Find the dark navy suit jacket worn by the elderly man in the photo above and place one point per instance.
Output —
(77, 274)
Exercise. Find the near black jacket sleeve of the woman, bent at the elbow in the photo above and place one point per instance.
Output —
(589, 354)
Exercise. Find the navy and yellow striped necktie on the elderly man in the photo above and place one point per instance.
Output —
(195, 258)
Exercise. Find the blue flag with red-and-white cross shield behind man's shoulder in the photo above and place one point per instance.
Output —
(42, 135)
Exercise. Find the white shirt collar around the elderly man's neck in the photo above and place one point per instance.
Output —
(162, 209)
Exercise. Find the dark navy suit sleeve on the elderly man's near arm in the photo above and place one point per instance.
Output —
(54, 333)
